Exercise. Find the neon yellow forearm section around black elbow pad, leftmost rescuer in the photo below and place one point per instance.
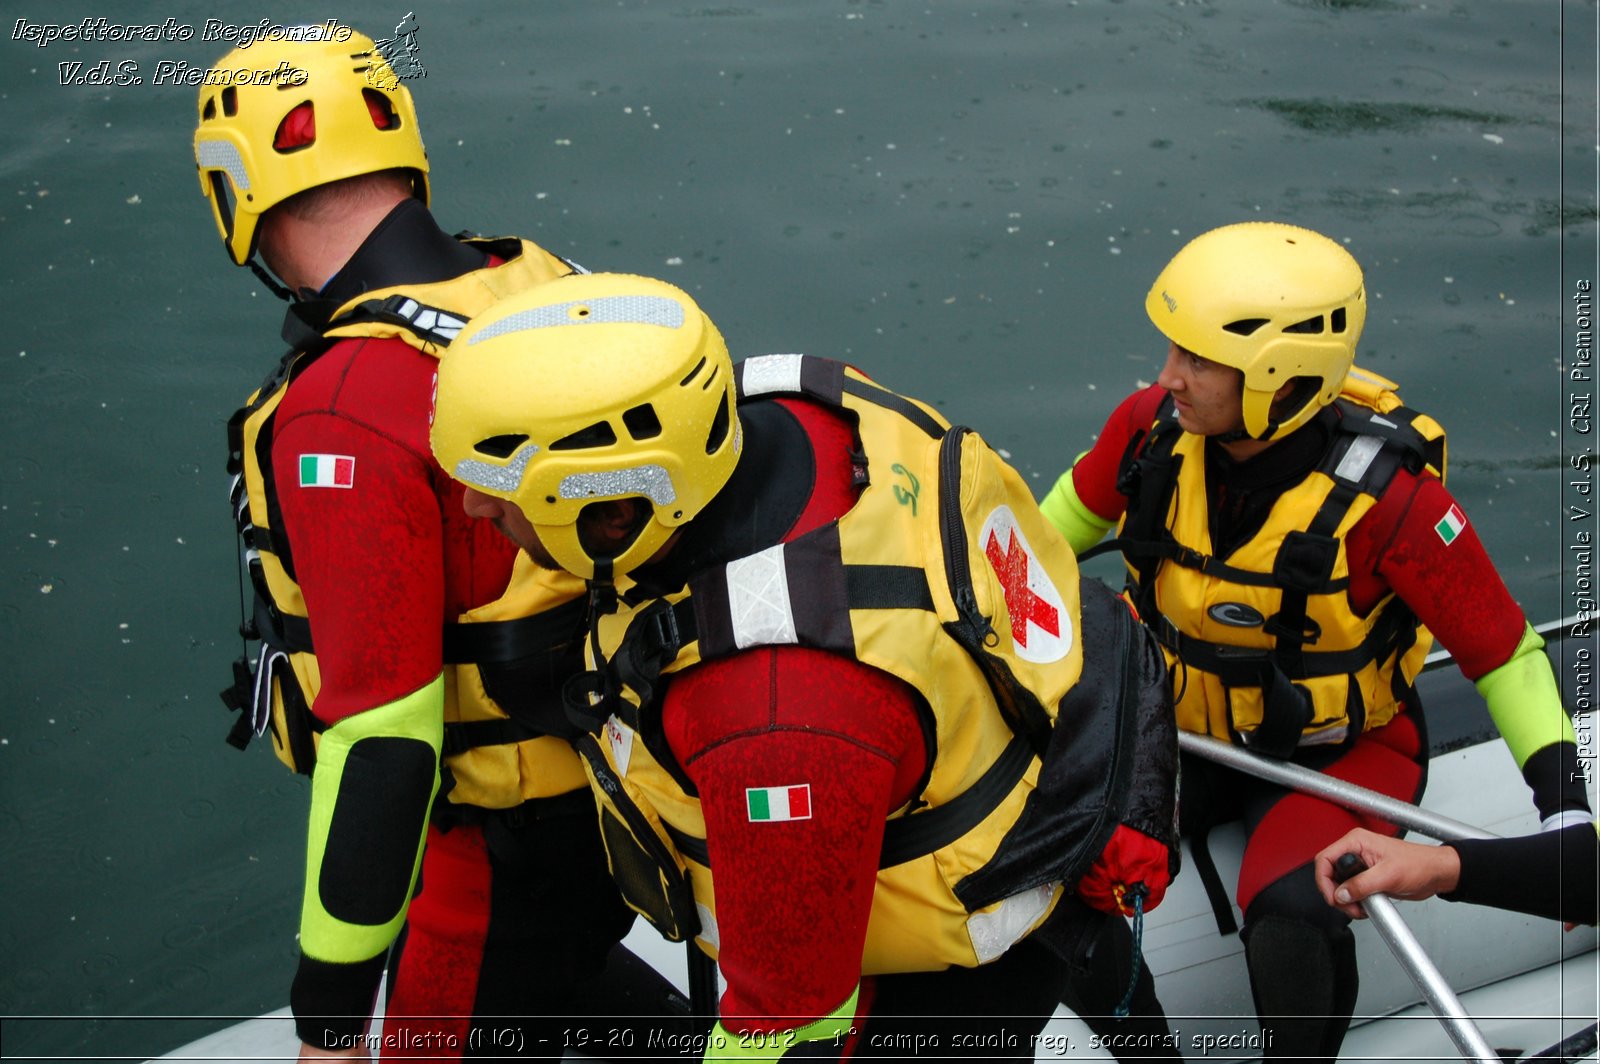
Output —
(418, 716)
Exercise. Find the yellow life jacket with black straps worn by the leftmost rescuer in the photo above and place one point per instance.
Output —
(490, 759)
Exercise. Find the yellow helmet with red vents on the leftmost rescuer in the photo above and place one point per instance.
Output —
(286, 116)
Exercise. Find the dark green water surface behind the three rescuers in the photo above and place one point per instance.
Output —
(966, 199)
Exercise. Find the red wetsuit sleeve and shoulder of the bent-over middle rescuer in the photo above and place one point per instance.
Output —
(793, 906)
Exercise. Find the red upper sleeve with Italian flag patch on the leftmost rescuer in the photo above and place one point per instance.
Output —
(386, 562)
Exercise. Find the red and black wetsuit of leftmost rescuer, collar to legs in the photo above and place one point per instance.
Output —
(385, 562)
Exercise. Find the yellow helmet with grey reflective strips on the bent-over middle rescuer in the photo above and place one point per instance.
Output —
(586, 388)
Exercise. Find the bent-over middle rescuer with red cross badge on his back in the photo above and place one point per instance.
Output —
(854, 721)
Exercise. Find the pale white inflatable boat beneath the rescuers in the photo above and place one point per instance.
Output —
(1529, 983)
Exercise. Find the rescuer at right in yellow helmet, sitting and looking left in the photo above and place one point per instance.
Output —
(1292, 545)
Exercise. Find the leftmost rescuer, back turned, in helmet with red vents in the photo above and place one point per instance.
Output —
(378, 601)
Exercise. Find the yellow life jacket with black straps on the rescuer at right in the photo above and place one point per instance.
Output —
(1263, 644)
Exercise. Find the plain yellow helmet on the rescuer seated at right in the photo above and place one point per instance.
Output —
(1279, 303)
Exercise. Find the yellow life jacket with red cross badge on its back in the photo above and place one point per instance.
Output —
(945, 575)
